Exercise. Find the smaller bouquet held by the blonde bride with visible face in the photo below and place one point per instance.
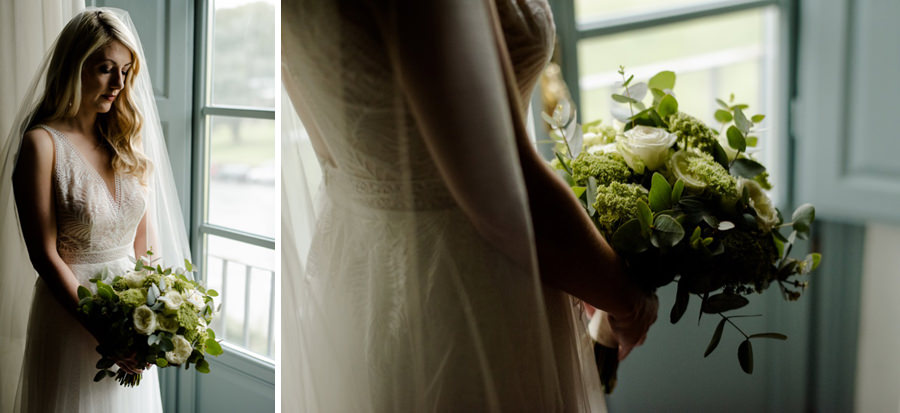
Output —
(154, 315)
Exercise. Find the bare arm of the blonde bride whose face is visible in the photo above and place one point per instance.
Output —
(33, 186)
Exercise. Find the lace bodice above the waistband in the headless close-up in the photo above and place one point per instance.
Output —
(371, 141)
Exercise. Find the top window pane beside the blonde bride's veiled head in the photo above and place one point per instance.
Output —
(243, 53)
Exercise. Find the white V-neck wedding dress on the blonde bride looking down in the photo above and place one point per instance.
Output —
(96, 230)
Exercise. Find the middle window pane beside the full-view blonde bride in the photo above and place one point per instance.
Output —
(242, 174)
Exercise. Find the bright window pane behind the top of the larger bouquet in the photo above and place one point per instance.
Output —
(712, 57)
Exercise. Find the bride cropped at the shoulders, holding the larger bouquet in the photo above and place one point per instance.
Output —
(445, 254)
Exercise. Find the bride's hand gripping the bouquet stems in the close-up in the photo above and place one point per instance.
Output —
(629, 330)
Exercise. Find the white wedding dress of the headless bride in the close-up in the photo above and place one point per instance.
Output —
(403, 306)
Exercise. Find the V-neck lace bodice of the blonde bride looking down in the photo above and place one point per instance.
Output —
(93, 225)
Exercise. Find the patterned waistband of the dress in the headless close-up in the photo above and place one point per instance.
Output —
(426, 194)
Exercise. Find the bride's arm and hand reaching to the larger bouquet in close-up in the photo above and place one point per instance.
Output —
(450, 67)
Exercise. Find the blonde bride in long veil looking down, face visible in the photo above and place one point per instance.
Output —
(92, 189)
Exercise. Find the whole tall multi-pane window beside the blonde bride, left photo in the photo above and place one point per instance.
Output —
(234, 207)
